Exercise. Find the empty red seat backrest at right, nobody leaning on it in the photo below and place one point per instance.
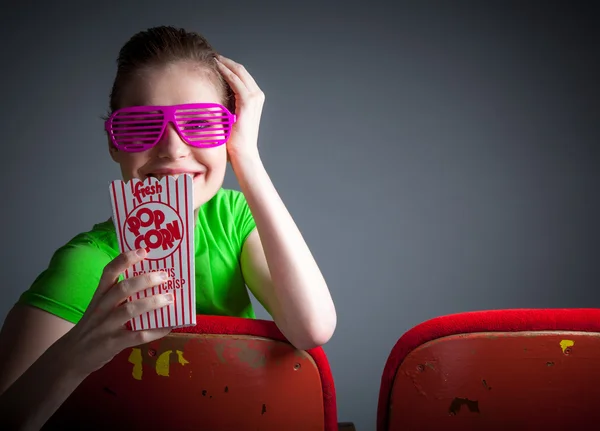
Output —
(495, 370)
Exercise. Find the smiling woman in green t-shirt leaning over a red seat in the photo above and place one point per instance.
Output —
(71, 320)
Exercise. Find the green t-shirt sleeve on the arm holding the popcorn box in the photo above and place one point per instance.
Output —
(65, 288)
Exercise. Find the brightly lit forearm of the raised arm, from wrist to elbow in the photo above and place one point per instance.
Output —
(304, 308)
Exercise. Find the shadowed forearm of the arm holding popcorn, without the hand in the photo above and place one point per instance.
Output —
(36, 395)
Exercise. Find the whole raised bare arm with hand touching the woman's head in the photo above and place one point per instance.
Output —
(277, 264)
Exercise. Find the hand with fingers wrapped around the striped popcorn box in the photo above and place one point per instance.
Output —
(101, 333)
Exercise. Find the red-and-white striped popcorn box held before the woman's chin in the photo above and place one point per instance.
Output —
(158, 215)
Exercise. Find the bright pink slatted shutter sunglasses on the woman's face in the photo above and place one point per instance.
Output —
(139, 128)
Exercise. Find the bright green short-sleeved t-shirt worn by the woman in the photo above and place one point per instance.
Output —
(66, 287)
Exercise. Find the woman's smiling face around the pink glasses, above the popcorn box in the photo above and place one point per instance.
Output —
(174, 84)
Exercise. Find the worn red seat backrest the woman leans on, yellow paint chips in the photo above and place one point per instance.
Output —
(225, 373)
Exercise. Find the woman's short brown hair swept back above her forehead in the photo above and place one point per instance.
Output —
(162, 45)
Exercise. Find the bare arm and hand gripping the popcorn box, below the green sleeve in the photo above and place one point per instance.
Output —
(45, 358)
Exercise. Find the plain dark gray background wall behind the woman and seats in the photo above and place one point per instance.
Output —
(438, 157)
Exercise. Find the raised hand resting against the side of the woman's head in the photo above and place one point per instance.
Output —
(249, 101)
